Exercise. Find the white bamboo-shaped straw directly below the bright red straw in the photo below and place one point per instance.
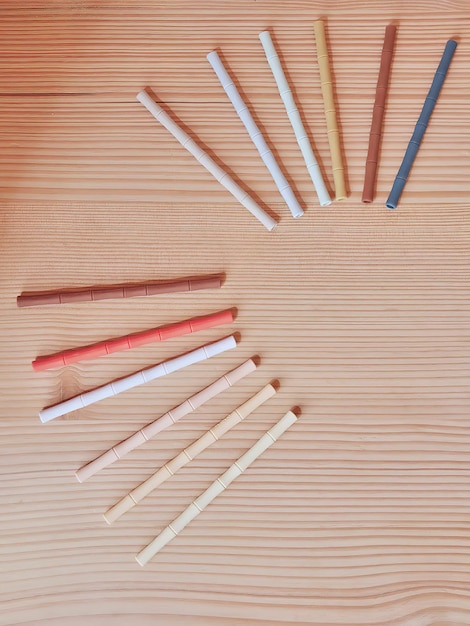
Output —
(138, 378)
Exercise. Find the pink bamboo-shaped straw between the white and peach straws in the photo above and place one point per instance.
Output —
(168, 419)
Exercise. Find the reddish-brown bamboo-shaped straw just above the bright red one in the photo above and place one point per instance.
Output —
(91, 294)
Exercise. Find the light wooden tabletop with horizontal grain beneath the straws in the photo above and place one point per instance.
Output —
(360, 514)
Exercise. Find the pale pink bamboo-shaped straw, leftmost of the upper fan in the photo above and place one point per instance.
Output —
(204, 159)
